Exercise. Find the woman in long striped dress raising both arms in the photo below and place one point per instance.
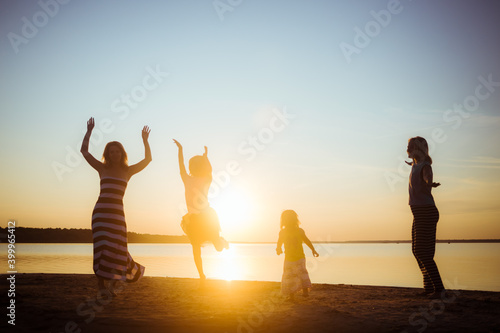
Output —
(112, 261)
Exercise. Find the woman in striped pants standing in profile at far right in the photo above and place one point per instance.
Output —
(425, 214)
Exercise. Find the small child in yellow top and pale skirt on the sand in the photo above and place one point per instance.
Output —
(295, 276)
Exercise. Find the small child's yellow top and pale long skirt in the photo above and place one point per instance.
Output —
(295, 275)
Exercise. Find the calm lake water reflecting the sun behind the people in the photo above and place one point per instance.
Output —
(472, 266)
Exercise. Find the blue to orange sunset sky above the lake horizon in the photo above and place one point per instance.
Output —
(303, 105)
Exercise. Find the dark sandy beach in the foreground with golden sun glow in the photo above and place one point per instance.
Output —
(69, 303)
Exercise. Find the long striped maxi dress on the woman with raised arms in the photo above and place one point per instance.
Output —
(112, 260)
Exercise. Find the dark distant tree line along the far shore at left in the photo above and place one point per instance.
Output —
(59, 235)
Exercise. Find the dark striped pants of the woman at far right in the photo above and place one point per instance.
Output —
(425, 220)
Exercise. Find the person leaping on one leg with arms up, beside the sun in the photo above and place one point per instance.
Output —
(201, 223)
